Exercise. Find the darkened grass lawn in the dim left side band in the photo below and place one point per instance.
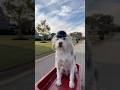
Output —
(15, 53)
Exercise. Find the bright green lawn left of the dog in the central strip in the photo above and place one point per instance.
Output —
(42, 49)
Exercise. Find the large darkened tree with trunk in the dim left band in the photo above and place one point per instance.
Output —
(20, 13)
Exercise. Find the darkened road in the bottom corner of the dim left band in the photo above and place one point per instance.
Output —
(23, 81)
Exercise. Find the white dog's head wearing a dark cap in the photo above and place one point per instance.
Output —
(61, 41)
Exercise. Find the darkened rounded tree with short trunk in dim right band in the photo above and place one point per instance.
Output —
(100, 23)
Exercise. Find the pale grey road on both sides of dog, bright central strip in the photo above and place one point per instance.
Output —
(45, 64)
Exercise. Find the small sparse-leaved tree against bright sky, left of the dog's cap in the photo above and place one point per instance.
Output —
(43, 29)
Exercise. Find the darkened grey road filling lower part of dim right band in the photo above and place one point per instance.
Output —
(106, 55)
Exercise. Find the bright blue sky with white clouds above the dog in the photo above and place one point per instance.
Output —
(68, 15)
